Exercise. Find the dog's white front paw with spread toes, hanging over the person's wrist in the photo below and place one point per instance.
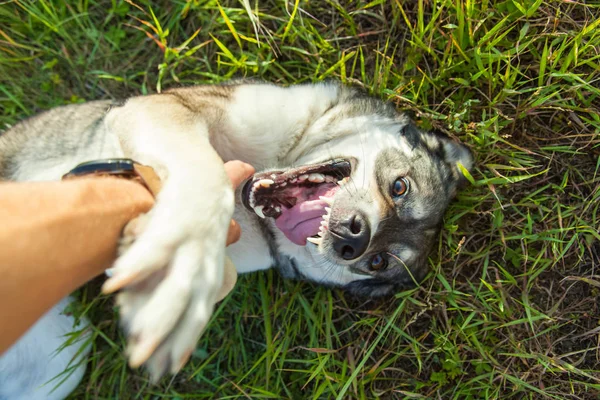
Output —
(169, 279)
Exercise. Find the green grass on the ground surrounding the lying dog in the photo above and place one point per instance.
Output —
(511, 307)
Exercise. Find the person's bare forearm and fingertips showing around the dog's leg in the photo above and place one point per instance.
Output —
(56, 236)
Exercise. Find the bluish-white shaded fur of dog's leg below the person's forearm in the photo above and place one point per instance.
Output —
(33, 368)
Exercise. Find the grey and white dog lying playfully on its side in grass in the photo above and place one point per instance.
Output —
(348, 193)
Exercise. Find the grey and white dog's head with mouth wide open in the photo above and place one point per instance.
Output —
(366, 201)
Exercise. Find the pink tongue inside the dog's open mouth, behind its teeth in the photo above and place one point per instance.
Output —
(304, 219)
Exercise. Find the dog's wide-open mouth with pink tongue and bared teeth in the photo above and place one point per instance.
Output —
(298, 199)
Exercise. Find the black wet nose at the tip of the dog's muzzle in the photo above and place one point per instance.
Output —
(351, 236)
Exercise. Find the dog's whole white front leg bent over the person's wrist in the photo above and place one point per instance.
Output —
(171, 275)
